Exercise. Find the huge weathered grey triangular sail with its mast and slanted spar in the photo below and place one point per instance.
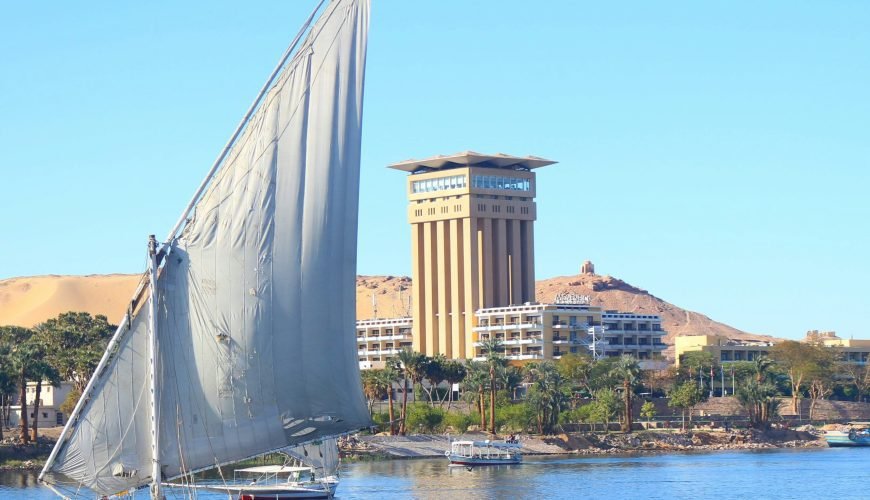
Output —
(238, 341)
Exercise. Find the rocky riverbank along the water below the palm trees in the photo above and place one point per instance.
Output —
(430, 446)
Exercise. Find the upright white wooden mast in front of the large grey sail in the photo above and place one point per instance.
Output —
(152, 361)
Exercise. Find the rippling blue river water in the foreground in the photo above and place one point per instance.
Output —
(759, 474)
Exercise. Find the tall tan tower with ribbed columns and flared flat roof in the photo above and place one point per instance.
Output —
(472, 243)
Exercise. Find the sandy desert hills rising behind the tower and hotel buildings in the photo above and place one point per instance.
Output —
(28, 301)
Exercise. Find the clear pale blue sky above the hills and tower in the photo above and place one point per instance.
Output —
(714, 153)
